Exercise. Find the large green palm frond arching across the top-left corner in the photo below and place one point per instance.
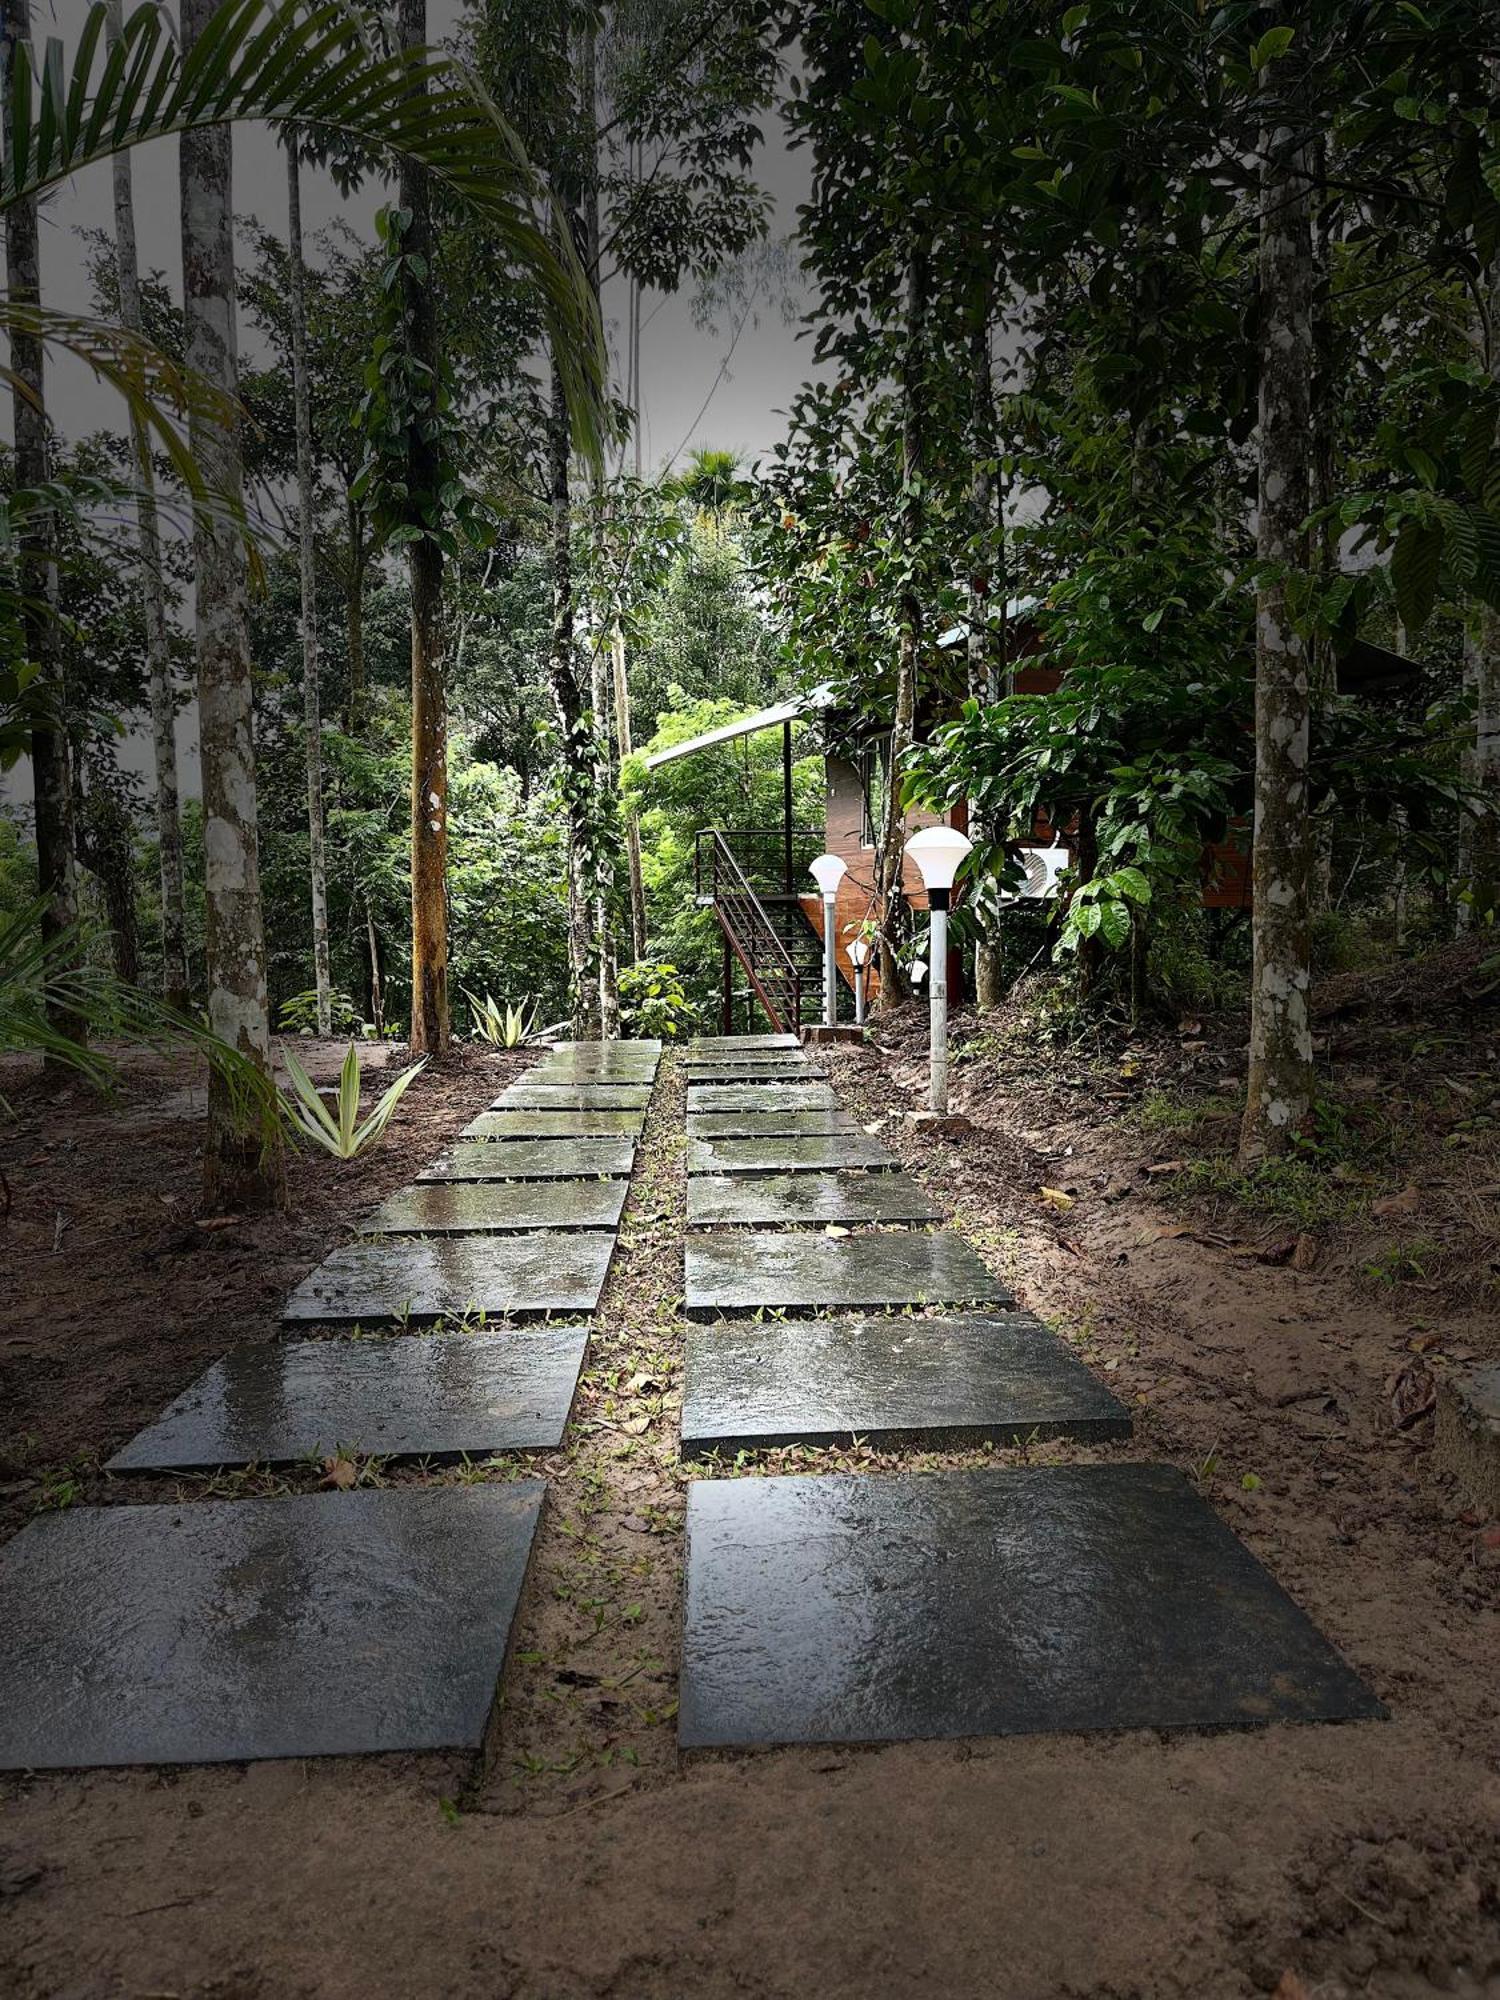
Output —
(311, 67)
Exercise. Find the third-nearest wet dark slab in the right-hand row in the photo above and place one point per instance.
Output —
(797, 1271)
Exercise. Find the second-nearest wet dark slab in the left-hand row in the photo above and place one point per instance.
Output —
(437, 1397)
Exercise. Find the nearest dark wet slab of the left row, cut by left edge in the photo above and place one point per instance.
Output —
(329, 1625)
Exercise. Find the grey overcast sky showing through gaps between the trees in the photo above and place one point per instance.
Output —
(695, 391)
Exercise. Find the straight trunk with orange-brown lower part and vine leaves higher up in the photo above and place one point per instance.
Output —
(429, 693)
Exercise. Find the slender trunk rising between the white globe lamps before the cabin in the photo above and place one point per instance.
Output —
(893, 981)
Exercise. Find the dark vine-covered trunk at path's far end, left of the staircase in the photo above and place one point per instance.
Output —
(573, 733)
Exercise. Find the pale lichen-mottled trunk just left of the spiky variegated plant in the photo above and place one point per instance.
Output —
(241, 1169)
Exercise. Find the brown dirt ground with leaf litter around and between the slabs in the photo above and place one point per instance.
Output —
(1285, 1359)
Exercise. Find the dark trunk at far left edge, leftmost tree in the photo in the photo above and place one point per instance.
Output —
(37, 571)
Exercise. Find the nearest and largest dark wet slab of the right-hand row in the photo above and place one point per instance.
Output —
(1001, 1603)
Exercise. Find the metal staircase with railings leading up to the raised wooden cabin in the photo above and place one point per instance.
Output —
(751, 883)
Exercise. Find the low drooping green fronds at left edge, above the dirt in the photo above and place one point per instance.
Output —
(43, 977)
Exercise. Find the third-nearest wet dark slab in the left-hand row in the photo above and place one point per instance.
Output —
(401, 1279)
